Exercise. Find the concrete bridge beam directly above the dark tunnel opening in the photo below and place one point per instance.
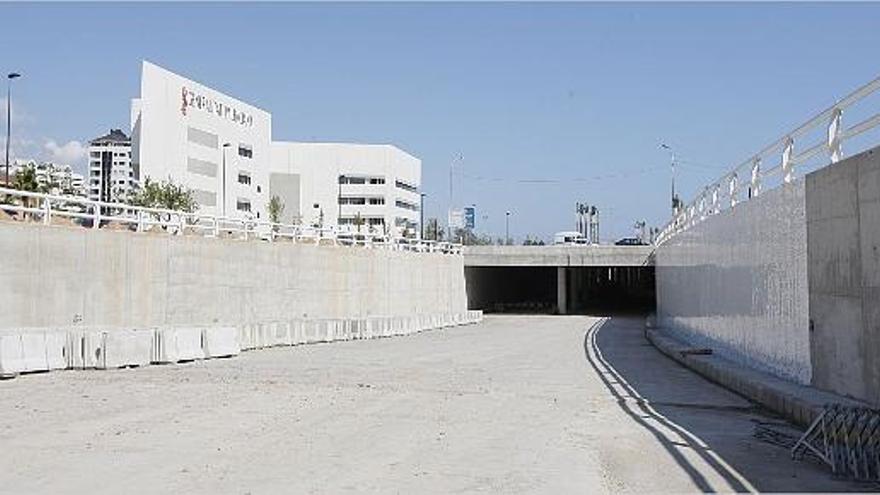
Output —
(558, 255)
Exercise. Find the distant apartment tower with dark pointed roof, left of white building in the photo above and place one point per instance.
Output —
(112, 177)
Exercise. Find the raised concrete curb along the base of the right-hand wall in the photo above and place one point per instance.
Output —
(797, 403)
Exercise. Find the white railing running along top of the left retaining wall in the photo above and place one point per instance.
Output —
(99, 214)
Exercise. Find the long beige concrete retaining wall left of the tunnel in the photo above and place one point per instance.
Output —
(59, 276)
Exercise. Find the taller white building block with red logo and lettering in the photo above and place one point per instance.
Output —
(208, 141)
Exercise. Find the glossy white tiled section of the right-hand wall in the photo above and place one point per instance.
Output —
(737, 282)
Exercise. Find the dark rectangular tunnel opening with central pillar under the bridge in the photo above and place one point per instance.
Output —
(566, 290)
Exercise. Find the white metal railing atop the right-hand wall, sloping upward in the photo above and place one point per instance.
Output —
(821, 139)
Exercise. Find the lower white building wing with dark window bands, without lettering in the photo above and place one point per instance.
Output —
(374, 186)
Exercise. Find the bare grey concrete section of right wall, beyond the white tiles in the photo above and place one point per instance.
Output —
(843, 246)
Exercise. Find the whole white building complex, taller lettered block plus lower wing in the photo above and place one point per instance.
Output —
(222, 149)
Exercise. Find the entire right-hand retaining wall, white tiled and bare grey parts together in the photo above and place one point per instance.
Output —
(788, 282)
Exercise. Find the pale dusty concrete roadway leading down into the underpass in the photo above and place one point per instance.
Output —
(515, 404)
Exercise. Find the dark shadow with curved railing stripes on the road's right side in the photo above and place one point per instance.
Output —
(706, 429)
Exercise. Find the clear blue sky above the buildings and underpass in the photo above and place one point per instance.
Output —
(547, 104)
